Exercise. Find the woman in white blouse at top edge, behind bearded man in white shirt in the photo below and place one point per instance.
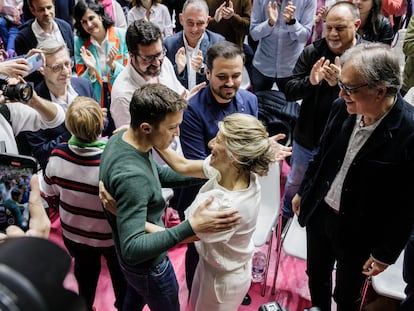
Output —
(152, 11)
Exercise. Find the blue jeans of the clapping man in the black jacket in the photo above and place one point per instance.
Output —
(299, 162)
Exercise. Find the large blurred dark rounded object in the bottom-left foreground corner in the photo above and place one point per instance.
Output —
(32, 272)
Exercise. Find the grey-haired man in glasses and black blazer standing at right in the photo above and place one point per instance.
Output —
(356, 196)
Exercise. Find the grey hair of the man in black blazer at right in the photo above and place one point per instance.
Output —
(377, 64)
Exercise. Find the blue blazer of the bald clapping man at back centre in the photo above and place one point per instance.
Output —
(175, 42)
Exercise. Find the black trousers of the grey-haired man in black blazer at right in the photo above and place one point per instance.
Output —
(325, 246)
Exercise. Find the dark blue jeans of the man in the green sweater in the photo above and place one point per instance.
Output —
(156, 286)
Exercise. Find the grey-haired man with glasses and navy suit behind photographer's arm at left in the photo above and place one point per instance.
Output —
(61, 88)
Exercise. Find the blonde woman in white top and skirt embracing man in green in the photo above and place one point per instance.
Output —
(240, 152)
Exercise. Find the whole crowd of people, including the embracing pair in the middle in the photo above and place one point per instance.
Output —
(134, 96)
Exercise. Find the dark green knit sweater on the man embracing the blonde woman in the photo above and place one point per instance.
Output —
(134, 179)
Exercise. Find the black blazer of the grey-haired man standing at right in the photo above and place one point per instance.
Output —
(376, 208)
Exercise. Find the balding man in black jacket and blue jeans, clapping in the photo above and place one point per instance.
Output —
(314, 81)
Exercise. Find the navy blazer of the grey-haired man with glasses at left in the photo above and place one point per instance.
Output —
(43, 142)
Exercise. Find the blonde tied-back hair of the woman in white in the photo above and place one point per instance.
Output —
(247, 141)
